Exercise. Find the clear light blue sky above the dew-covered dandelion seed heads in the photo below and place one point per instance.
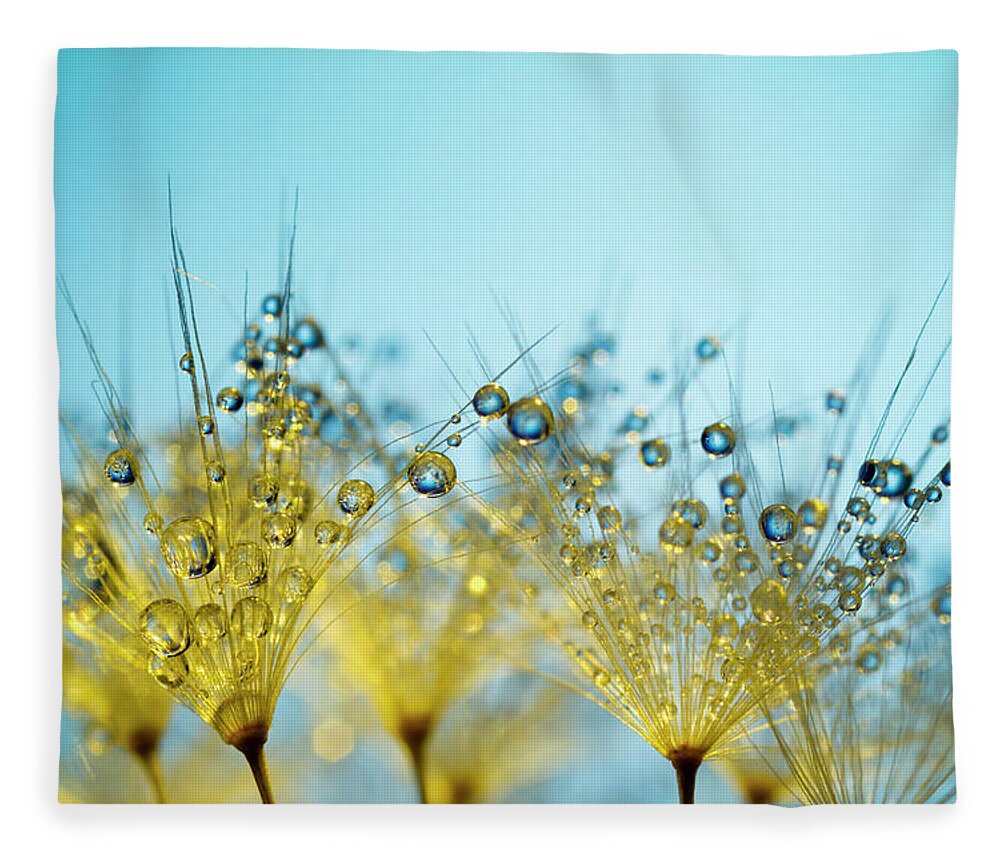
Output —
(791, 199)
